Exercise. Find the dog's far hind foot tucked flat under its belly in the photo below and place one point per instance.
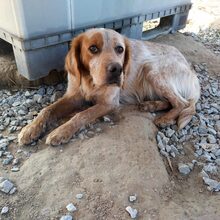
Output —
(154, 106)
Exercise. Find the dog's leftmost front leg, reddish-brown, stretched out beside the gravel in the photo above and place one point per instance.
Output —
(52, 113)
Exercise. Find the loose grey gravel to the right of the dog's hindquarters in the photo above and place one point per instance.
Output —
(202, 133)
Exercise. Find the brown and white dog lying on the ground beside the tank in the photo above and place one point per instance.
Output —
(107, 69)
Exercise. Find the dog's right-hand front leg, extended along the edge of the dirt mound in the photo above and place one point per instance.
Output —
(65, 132)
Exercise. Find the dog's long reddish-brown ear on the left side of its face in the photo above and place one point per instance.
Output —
(72, 61)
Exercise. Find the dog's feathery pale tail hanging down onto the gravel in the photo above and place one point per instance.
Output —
(186, 114)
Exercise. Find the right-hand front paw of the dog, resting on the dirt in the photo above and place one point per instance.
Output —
(61, 135)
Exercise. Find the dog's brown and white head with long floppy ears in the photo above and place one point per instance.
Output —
(102, 53)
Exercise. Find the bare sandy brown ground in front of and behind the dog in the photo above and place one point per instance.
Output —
(121, 161)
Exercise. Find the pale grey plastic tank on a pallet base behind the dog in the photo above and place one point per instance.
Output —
(39, 31)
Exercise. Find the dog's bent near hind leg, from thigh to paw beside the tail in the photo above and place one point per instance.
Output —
(177, 103)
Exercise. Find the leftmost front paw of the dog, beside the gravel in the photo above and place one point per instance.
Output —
(30, 133)
